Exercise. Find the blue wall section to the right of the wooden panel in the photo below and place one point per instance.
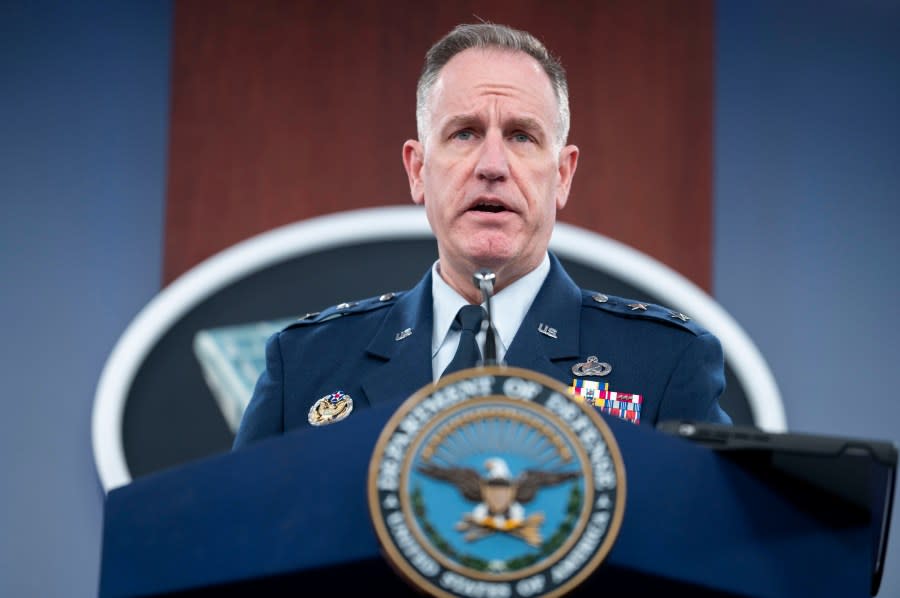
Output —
(807, 207)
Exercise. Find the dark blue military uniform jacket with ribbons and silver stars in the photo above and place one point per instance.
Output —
(379, 350)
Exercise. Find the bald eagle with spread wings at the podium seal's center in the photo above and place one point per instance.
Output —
(499, 498)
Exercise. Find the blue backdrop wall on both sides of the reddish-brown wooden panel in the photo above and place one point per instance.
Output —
(807, 162)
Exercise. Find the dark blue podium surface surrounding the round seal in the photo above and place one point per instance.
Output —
(289, 515)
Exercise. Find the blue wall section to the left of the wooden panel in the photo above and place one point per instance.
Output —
(84, 92)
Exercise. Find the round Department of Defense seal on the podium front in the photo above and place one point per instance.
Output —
(495, 483)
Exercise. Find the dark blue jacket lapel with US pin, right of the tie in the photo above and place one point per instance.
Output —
(557, 311)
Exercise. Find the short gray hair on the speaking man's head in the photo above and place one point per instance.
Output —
(489, 35)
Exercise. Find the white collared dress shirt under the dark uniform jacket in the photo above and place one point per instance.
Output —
(508, 309)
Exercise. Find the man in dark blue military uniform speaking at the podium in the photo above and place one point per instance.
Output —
(492, 168)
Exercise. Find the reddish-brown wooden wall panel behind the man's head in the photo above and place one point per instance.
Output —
(285, 110)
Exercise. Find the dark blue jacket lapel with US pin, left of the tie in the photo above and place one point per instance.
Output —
(405, 357)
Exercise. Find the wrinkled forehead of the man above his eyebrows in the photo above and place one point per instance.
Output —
(475, 76)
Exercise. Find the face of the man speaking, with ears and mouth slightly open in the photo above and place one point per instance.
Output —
(489, 171)
